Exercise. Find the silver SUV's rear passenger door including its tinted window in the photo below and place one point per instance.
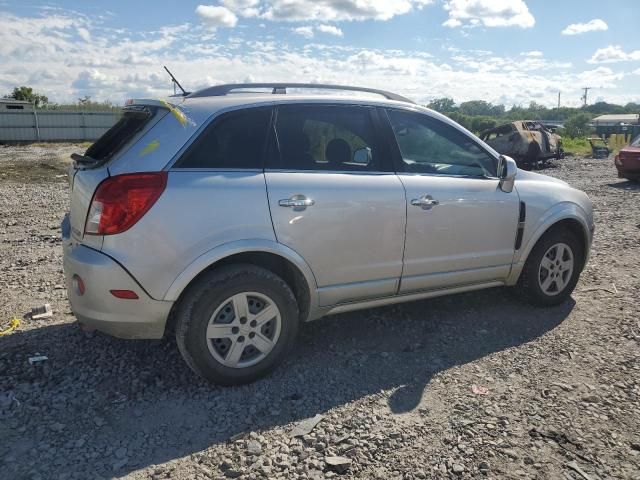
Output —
(335, 199)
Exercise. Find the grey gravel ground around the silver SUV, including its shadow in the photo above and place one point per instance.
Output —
(471, 386)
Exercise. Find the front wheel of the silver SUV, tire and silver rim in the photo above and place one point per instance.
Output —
(537, 284)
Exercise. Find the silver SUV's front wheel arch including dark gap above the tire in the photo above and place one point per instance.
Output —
(567, 215)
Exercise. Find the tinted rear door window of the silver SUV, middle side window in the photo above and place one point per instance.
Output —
(319, 137)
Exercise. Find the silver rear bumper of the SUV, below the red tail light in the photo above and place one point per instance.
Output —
(97, 308)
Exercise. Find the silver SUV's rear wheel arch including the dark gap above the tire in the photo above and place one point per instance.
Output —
(272, 256)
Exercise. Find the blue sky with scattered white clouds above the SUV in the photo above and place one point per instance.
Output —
(502, 51)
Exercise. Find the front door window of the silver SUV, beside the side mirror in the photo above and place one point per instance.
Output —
(428, 145)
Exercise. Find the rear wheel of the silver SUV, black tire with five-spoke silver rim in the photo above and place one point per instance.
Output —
(243, 345)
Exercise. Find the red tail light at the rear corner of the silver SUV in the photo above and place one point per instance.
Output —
(120, 201)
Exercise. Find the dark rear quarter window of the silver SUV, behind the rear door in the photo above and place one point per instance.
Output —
(235, 140)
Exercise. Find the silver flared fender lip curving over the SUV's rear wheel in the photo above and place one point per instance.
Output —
(241, 246)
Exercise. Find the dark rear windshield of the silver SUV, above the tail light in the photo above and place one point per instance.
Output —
(133, 120)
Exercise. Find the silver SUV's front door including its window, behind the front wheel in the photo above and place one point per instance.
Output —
(461, 227)
